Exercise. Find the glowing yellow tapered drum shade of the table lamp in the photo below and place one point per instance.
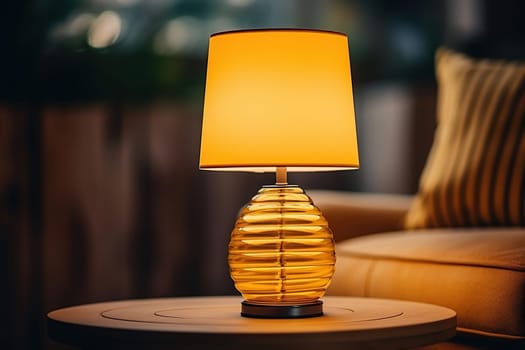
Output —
(278, 97)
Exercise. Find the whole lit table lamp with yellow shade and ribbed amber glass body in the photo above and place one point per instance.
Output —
(279, 100)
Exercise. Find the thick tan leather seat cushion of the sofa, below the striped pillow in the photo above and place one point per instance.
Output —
(479, 273)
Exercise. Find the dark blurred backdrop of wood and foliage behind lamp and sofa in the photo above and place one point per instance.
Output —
(100, 113)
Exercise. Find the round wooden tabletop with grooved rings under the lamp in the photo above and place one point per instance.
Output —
(215, 323)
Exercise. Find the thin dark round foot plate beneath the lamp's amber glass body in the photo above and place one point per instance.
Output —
(254, 310)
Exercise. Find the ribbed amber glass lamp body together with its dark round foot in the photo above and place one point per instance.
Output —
(281, 254)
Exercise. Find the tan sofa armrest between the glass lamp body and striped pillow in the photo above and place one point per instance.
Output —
(352, 214)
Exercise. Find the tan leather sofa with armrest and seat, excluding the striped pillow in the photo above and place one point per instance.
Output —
(478, 272)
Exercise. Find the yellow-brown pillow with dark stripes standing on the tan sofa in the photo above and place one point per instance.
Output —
(475, 173)
